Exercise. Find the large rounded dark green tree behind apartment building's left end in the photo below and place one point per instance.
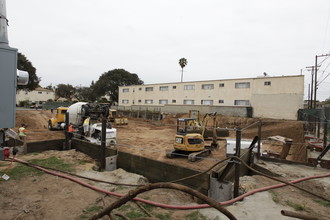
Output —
(109, 82)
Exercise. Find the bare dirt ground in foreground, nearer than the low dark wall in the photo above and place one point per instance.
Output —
(37, 197)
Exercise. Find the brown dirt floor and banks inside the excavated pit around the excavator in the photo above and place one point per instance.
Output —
(154, 139)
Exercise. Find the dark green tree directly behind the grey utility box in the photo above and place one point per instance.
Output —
(24, 64)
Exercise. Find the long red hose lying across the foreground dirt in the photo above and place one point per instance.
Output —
(175, 206)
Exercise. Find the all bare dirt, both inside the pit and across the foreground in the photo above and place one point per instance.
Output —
(50, 197)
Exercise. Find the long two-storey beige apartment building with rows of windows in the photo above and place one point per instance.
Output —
(270, 97)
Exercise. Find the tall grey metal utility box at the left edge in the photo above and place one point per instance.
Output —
(8, 82)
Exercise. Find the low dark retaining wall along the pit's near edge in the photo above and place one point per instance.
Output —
(154, 170)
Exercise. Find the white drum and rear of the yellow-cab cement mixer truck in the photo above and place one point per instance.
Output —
(80, 111)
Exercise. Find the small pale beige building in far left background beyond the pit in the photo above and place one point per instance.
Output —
(37, 95)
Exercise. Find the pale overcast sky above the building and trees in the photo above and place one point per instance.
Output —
(75, 41)
